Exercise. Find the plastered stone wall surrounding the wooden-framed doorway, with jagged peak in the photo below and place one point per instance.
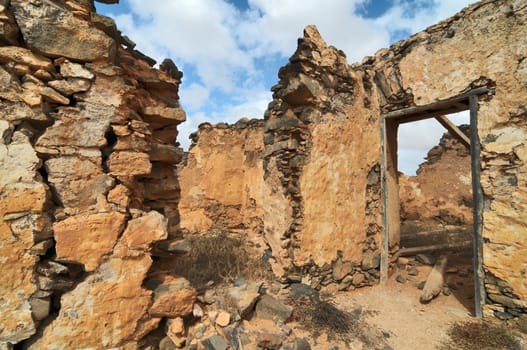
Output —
(323, 145)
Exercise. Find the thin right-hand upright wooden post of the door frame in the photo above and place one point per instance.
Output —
(477, 193)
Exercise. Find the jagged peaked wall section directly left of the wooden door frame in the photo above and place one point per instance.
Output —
(322, 175)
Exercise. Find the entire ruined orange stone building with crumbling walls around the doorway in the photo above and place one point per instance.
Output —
(94, 194)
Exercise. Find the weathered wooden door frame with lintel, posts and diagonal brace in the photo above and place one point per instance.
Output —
(391, 238)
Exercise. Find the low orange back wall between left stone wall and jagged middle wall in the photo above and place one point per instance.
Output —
(222, 178)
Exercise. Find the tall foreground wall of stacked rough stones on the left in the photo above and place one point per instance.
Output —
(87, 152)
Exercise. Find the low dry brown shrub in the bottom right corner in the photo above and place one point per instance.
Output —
(480, 336)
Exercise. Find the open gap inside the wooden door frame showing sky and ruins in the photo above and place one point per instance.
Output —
(435, 196)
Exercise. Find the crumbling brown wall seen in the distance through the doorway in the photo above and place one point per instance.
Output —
(441, 191)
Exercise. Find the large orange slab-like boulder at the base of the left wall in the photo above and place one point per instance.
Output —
(107, 309)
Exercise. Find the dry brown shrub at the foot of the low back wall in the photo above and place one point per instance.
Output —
(220, 258)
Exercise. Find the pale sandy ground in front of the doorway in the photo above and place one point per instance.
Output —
(395, 309)
